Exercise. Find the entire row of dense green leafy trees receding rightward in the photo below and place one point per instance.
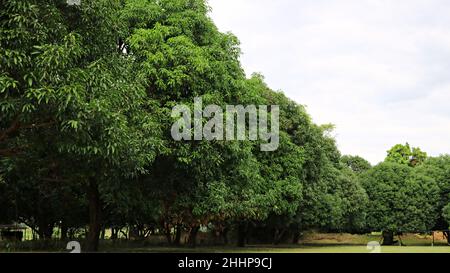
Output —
(86, 98)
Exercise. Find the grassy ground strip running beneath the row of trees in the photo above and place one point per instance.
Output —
(310, 243)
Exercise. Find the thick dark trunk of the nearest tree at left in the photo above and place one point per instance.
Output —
(94, 217)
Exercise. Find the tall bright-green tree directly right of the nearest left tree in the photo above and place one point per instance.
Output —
(181, 55)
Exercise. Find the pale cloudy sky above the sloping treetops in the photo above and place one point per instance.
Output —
(377, 69)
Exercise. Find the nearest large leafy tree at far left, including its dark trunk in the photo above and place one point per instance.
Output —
(66, 84)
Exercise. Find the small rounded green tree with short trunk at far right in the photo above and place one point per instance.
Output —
(401, 199)
